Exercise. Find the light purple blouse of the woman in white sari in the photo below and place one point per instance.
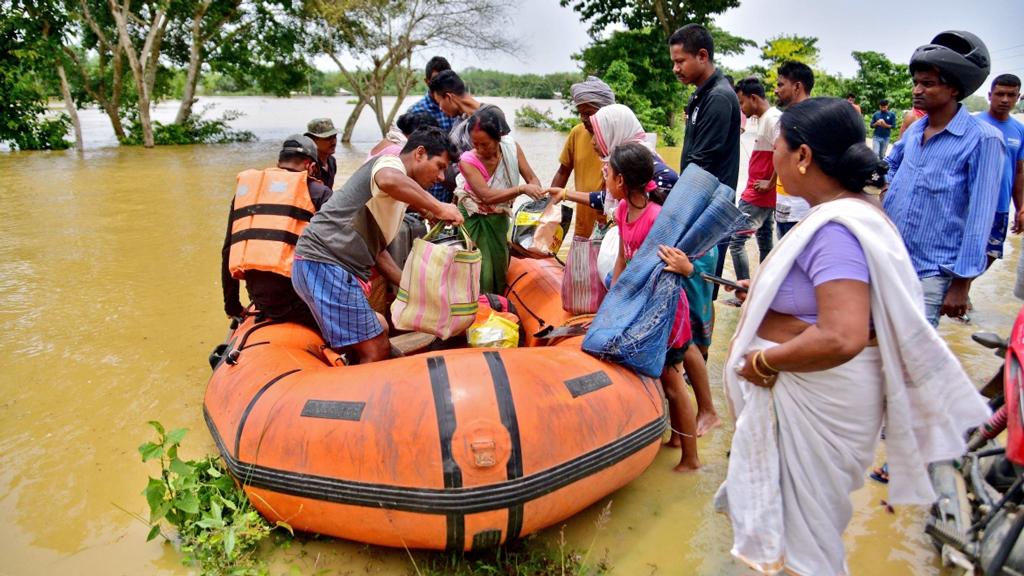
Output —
(834, 254)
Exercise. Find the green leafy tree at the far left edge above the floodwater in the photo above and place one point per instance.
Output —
(25, 58)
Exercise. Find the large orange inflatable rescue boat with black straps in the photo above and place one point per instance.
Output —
(447, 450)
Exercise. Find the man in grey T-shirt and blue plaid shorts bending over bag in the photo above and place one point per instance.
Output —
(343, 243)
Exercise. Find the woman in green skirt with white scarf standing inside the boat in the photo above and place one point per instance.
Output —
(489, 182)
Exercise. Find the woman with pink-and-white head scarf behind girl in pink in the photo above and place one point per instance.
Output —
(615, 126)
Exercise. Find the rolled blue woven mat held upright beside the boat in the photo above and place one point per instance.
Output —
(633, 324)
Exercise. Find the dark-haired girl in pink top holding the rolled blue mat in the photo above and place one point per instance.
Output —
(631, 169)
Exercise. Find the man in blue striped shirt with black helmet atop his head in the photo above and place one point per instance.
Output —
(945, 175)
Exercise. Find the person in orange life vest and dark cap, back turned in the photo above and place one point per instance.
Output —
(270, 210)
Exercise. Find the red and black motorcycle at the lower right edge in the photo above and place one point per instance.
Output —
(977, 521)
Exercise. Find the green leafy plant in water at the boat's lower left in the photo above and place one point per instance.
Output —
(219, 529)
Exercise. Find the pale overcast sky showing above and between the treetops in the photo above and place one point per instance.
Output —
(550, 34)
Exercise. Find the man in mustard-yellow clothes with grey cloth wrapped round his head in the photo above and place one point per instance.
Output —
(579, 156)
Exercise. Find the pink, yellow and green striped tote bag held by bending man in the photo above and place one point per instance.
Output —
(441, 284)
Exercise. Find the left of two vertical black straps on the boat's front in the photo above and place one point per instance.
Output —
(442, 389)
